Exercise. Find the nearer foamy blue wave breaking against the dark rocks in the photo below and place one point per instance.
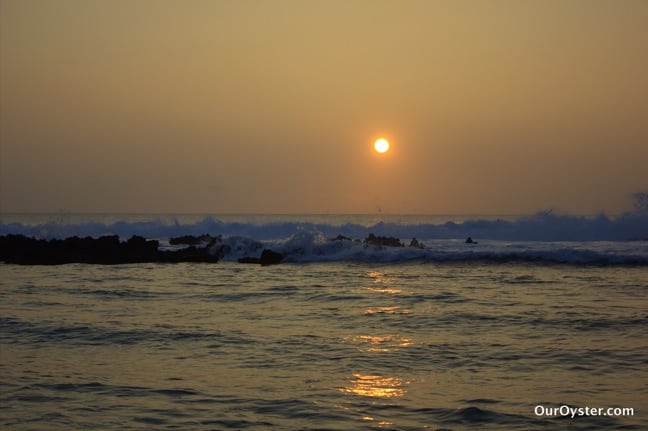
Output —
(309, 247)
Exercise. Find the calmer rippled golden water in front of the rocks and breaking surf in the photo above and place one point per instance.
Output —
(236, 346)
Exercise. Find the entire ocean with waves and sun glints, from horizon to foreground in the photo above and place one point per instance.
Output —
(540, 325)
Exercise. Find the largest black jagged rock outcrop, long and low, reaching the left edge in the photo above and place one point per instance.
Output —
(104, 250)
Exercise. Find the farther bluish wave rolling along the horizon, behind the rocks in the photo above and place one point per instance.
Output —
(545, 226)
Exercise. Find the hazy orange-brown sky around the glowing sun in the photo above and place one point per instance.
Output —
(496, 107)
